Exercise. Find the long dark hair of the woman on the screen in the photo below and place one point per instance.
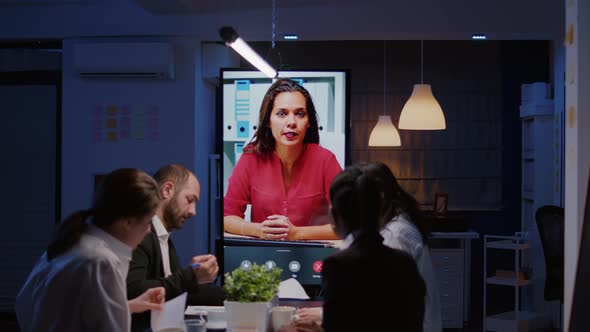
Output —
(263, 143)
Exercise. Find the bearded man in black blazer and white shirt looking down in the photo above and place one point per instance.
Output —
(155, 262)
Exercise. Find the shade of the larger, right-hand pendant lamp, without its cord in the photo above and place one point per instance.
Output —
(422, 111)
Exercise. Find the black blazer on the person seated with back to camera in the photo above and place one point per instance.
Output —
(371, 286)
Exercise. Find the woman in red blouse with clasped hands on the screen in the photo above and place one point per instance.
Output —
(283, 172)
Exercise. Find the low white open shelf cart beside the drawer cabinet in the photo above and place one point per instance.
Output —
(517, 320)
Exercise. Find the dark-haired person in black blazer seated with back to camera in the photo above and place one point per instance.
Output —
(368, 280)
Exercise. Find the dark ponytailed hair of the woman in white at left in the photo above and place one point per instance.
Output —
(124, 193)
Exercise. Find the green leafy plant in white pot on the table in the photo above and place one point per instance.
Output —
(249, 294)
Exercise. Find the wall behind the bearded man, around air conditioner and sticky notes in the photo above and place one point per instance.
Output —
(184, 114)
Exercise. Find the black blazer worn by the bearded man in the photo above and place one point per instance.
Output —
(146, 271)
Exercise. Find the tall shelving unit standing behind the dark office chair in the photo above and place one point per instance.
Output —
(538, 181)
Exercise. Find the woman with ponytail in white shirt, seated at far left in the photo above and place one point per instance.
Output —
(78, 284)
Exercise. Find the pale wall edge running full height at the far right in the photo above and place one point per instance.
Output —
(577, 138)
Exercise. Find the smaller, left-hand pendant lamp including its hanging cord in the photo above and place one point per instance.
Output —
(384, 134)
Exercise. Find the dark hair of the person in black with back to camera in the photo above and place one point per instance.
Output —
(356, 203)
